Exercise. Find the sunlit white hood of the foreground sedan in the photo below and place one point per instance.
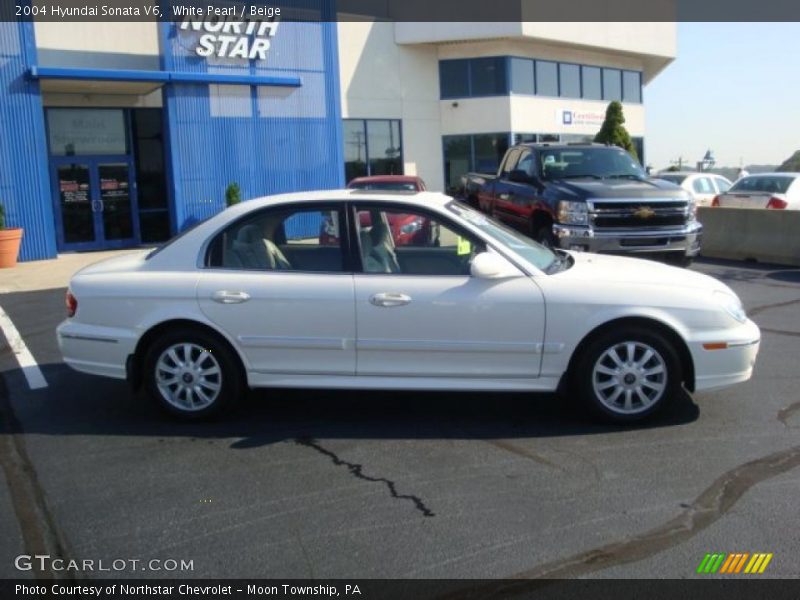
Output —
(612, 270)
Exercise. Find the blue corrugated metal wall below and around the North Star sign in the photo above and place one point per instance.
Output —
(267, 139)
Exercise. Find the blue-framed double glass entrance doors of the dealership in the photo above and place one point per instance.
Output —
(95, 202)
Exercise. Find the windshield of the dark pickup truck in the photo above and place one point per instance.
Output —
(595, 162)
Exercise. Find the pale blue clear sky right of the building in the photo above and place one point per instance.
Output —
(734, 88)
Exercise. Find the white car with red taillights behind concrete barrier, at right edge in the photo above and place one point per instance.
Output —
(765, 190)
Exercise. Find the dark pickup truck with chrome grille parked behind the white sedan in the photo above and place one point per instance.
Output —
(588, 197)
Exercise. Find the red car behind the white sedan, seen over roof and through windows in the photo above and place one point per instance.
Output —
(406, 229)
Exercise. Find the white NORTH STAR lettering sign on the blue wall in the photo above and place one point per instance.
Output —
(232, 39)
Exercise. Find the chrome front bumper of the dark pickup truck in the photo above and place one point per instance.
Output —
(685, 240)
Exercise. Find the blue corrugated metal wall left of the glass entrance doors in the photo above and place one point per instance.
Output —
(24, 181)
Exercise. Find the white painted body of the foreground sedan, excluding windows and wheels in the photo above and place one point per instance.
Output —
(515, 331)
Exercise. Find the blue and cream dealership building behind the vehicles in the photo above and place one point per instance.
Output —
(121, 134)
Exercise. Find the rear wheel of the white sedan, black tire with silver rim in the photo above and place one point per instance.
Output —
(158, 363)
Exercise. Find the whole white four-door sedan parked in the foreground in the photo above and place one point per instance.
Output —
(310, 290)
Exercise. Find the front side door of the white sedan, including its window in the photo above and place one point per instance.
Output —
(420, 314)
